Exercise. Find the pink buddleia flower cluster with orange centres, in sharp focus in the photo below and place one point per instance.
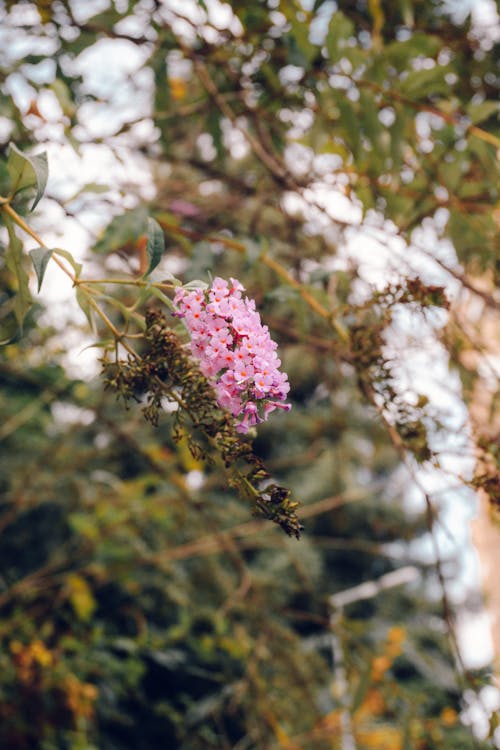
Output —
(235, 351)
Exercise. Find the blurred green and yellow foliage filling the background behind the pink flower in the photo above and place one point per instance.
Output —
(140, 605)
